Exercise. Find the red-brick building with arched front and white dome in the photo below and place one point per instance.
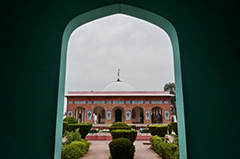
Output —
(119, 101)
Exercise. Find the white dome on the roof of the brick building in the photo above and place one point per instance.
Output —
(119, 86)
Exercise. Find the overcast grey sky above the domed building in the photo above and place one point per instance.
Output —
(140, 49)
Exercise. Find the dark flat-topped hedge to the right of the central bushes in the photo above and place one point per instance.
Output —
(159, 130)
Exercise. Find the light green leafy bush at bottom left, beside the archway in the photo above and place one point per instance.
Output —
(75, 150)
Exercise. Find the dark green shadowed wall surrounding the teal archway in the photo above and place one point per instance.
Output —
(30, 44)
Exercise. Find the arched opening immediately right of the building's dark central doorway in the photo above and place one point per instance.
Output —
(137, 115)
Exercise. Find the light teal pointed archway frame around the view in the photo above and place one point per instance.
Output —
(135, 12)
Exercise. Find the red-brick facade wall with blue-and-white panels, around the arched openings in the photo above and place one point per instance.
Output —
(124, 106)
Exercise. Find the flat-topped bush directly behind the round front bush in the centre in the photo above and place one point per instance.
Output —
(120, 133)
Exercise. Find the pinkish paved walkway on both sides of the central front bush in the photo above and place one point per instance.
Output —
(100, 150)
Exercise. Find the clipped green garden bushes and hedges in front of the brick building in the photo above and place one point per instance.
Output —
(164, 139)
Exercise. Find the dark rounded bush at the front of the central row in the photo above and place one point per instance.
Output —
(122, 148)
